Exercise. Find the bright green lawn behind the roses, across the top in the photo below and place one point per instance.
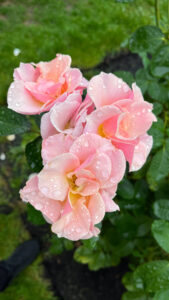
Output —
(85, 29)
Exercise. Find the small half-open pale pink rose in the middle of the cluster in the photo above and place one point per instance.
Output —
(68, 117)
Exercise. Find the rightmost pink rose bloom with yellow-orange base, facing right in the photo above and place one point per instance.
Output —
(122, 116)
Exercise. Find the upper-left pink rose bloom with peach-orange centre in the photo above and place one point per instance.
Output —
(37, 87)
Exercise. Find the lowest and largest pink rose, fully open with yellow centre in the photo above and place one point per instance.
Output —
(76, 185)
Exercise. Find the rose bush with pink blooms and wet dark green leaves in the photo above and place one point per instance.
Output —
(114, 121)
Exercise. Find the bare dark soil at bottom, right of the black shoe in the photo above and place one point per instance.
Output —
(74, 281)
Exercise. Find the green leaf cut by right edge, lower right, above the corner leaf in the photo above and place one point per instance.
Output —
(160, 230)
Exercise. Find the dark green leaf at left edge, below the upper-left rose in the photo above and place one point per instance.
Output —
(12, 123)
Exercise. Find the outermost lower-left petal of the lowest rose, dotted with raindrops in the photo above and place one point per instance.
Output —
(49, 207)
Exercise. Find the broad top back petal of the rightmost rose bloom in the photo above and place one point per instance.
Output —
(105, 89)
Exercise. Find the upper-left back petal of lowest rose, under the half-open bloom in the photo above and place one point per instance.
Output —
(55, 145)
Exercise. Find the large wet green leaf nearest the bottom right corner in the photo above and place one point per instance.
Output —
(152, 276)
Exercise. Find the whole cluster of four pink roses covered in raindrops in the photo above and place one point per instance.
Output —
(86, 143)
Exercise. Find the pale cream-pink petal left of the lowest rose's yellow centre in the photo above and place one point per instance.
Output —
(52, 178)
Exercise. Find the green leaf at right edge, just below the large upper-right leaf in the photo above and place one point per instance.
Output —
(160, 62)
